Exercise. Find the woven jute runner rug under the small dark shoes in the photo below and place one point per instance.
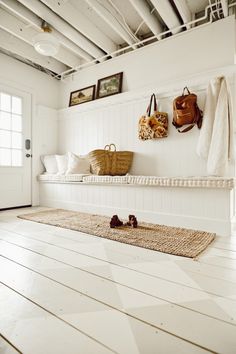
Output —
(172, 240)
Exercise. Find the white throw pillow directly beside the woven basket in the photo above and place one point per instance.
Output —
(77, 164)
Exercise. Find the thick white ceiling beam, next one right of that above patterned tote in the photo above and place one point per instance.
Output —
(167, 13)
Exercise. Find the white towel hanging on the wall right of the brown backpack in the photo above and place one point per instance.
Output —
(215, 142)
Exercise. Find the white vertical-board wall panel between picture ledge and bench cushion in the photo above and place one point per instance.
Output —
(81, 131)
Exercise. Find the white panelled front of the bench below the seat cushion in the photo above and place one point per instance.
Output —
(185, 207)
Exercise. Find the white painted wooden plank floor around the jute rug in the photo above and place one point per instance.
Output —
(62, 291)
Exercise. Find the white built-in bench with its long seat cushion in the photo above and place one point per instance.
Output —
(204, 203)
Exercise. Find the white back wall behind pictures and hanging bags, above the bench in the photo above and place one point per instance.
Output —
(192, 59)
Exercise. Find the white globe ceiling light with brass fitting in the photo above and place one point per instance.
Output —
(45, 43)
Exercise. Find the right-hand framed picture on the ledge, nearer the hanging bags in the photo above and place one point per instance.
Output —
(109, 85)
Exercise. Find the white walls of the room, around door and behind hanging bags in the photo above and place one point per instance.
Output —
(190, 58)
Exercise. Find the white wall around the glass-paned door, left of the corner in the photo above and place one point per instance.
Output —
(44, 92)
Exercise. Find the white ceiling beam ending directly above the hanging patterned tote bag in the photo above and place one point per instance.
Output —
(144, 12)
